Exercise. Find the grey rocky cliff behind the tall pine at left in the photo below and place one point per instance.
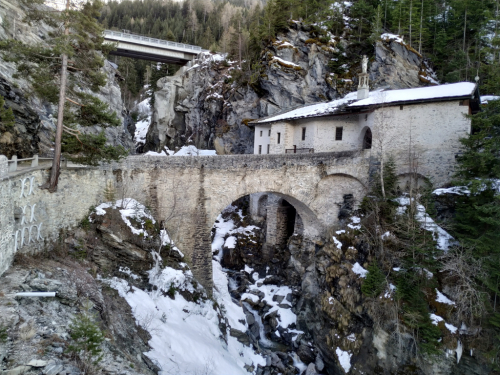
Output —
(35, 121)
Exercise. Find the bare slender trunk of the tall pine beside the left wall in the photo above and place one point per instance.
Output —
(51, 185)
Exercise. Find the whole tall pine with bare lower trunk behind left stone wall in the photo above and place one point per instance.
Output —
(71, 58)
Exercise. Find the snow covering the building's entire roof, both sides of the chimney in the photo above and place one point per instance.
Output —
(461, 89)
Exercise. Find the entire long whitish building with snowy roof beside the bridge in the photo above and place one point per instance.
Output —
(423, 124)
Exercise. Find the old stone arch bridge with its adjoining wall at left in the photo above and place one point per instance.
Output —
(186, 193)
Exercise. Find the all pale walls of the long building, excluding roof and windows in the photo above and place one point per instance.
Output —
(423, 138)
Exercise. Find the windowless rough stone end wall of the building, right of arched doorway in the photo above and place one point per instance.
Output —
(423, 138)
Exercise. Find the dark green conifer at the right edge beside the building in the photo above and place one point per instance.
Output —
(477, 222)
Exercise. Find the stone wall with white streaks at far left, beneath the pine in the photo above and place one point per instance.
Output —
(31, 219)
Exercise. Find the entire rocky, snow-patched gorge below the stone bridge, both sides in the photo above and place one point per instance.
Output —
(297, 309)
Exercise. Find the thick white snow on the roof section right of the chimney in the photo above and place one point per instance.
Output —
(453, 90)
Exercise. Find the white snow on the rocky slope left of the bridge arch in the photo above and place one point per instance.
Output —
(185, 336)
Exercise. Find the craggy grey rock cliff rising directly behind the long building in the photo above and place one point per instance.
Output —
(208, 103)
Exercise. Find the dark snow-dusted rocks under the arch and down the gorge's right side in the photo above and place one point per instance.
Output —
(338, 329)
